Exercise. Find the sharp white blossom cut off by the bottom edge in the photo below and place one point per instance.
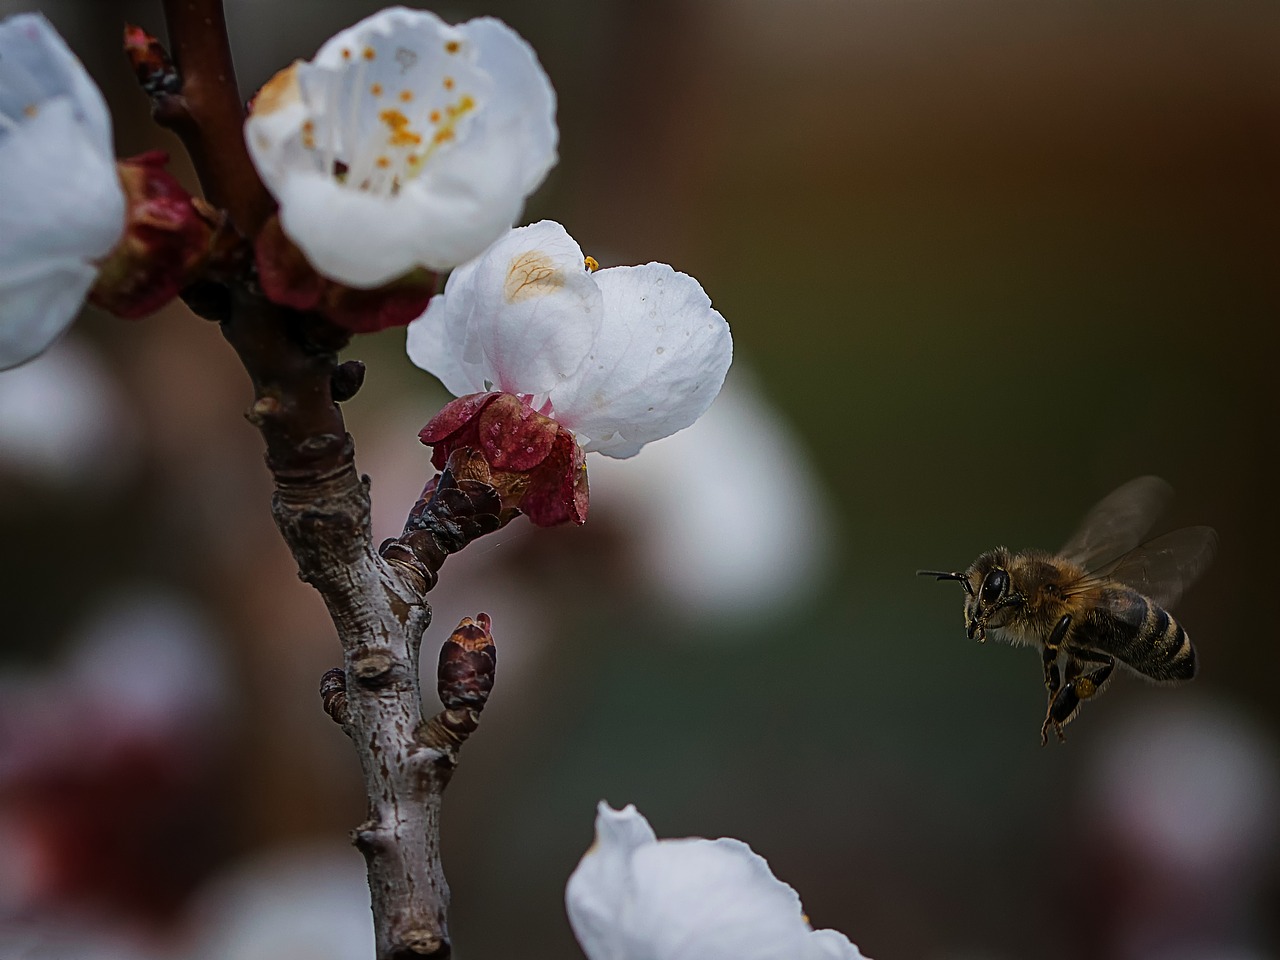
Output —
(638, 898)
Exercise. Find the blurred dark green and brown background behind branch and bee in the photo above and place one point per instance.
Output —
(985, 260)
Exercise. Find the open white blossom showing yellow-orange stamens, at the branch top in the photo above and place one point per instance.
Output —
(405, 144)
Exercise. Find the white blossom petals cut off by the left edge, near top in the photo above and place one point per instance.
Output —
(62, 207)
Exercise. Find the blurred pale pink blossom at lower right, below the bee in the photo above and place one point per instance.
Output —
(1178, 836)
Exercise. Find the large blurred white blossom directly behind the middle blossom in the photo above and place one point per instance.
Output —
(728, 551)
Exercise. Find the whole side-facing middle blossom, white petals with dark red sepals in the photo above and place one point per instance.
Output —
(533, 339)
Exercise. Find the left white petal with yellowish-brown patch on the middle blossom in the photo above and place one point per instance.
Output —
(519, 319)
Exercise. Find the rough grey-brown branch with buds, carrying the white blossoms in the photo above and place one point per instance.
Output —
(377, 598)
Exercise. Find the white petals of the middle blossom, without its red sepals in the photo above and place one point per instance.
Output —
(620, 356)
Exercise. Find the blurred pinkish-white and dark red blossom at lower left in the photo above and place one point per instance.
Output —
(107, 765)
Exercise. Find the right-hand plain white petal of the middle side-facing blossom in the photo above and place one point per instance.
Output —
(657, 365)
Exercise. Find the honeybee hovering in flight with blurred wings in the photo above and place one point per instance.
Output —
(1100, 601)
